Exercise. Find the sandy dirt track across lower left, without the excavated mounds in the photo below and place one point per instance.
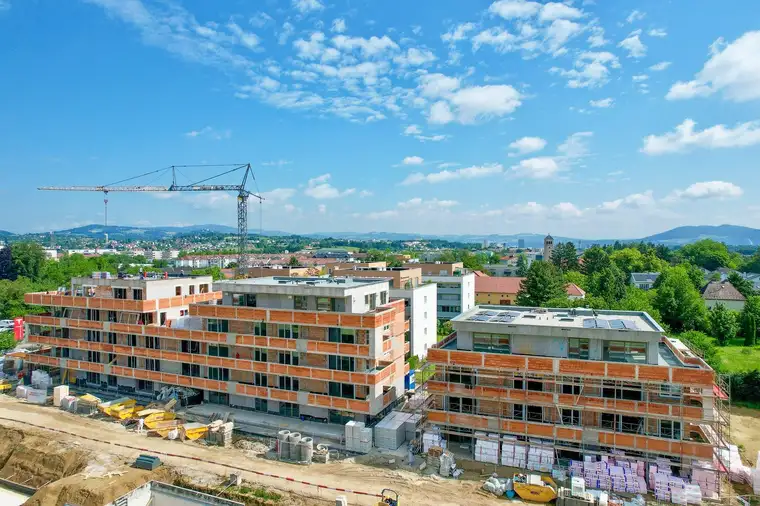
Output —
(348, 474)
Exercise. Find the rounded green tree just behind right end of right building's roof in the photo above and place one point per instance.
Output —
(678, 301)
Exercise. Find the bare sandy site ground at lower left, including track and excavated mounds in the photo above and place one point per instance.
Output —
(107, 465)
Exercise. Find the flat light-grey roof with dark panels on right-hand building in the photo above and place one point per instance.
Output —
(561, 318)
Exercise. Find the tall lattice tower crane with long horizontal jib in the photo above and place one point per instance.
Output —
(243, 194)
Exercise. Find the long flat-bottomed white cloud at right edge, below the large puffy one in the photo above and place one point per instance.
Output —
(719, 136)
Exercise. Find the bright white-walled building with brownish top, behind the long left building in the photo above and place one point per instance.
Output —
(419, 299)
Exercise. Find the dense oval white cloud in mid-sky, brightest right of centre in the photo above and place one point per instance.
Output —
(468, 105)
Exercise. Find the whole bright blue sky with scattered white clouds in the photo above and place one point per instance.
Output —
(588, 118)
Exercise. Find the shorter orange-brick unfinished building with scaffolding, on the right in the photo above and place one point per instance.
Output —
(580, 382)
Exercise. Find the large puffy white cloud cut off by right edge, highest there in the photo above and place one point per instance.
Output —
(733, 70)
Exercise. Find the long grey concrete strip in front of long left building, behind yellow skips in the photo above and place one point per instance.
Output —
(268, 425)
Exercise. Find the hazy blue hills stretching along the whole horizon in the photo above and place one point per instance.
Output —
(730, 234)
